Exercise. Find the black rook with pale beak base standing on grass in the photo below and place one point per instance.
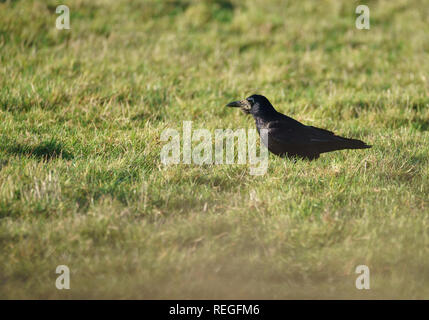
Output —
(290, 138)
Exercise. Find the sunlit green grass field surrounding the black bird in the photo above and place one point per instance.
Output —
(82, 184)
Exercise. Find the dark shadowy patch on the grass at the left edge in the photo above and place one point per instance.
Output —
(46, 150)
